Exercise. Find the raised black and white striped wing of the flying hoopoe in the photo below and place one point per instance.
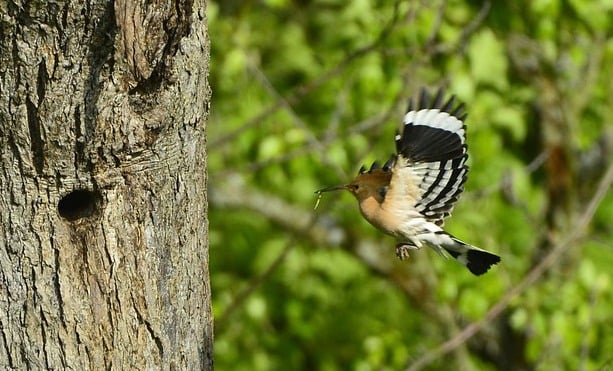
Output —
(432, 154)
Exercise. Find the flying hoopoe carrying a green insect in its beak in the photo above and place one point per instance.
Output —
(415, 190)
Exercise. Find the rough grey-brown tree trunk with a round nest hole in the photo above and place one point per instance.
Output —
(103, 208)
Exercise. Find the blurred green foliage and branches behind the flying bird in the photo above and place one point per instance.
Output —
(305, 92)
